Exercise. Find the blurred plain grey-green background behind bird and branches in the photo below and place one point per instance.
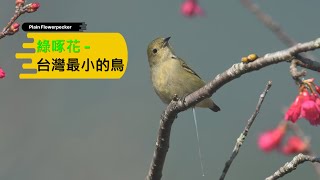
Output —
(106, 129)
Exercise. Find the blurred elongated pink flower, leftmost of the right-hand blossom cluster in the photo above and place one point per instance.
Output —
(271, 139)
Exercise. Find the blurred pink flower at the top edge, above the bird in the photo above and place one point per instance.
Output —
(191, 8)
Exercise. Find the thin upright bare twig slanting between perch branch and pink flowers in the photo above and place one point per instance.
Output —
(244, 134)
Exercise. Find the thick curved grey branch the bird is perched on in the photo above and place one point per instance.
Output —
(175, 107)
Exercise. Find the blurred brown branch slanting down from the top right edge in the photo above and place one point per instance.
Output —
(272, 25)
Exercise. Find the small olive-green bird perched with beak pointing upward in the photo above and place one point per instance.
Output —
(171, 76)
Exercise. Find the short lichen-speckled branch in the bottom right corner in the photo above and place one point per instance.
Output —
(290, 166)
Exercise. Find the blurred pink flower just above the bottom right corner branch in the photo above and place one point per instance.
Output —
(294, 145)
